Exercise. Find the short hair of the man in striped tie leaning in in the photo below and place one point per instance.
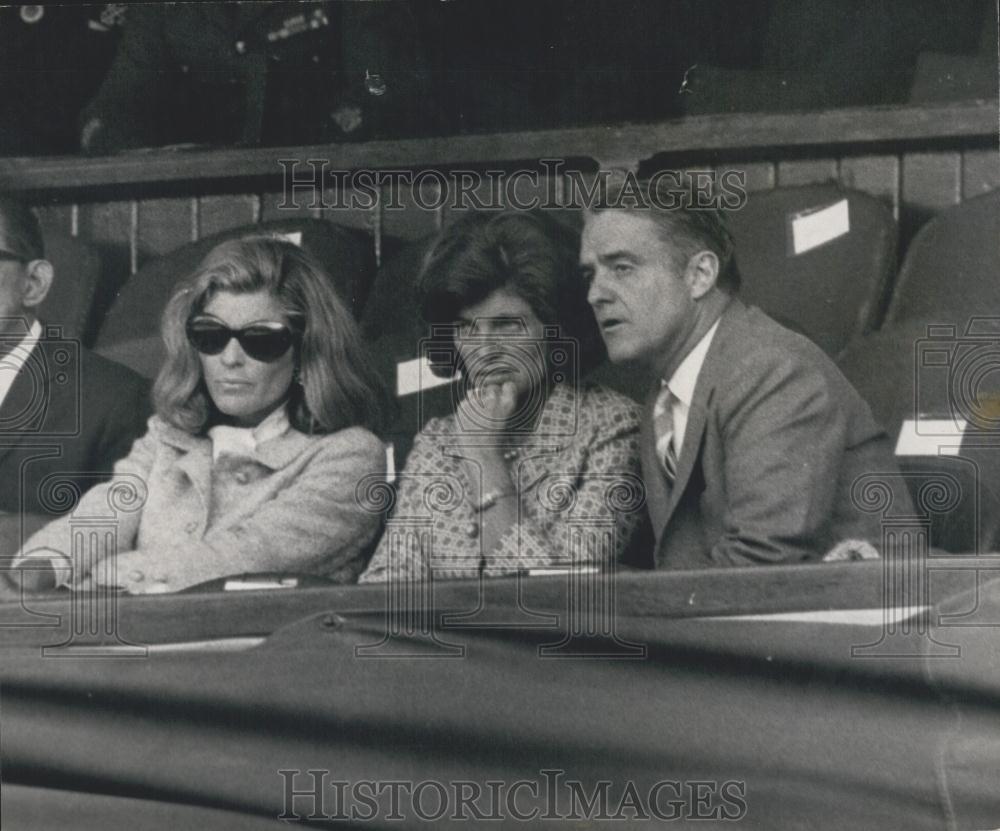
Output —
(668, 201)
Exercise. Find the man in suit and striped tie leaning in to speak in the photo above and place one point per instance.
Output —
(752, 439)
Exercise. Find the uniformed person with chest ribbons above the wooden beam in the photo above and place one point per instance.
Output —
(261, 73)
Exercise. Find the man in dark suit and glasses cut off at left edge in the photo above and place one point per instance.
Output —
(66, 414)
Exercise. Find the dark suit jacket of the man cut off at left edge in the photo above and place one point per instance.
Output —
(68, 417)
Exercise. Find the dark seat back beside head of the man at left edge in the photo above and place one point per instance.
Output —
(70, 303)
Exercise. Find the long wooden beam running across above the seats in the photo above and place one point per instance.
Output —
(902, 125)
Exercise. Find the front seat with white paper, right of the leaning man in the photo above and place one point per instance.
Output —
(937, 398)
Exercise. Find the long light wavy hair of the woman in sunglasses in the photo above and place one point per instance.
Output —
(335, 385)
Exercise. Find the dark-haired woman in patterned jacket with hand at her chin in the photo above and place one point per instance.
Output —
(532, 449)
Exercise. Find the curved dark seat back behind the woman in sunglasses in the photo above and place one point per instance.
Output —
(130, 332)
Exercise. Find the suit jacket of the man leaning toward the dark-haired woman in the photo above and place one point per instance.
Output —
(775, 440)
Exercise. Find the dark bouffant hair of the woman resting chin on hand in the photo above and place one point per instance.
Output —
(528, 252)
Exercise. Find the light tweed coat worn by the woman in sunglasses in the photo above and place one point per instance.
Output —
(291, 508)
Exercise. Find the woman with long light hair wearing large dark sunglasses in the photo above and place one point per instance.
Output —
(259, 439)
